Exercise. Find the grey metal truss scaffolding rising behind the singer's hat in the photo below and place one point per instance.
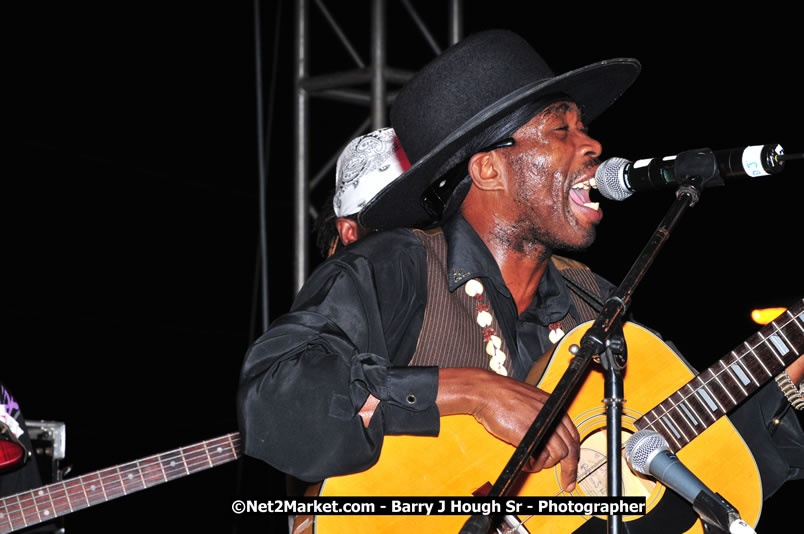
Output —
(371, 84)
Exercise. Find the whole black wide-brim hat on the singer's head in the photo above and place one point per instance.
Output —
(470, 86)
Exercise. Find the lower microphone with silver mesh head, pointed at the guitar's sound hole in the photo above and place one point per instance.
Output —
(647, 452)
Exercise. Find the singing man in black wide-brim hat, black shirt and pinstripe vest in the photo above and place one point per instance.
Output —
(360, 355)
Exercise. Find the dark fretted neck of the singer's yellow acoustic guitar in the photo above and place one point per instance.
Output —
(713, 393)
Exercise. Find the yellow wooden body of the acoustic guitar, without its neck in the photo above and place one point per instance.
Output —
(464, 456)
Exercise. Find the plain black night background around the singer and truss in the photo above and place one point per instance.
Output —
(131, 241)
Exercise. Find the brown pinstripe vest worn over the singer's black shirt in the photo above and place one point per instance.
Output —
(450, 335)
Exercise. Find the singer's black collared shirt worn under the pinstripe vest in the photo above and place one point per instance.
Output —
(352, 331)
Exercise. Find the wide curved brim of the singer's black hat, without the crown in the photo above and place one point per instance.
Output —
(593, 87)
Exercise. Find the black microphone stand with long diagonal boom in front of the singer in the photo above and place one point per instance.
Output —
(699, 168)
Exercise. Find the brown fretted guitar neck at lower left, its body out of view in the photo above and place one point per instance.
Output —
(54, 500)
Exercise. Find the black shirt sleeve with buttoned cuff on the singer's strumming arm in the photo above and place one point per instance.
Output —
(304, 381)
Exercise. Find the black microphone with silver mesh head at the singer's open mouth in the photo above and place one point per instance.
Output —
(618, 178)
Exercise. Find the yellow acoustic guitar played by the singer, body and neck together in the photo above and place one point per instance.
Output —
(464, 456)
